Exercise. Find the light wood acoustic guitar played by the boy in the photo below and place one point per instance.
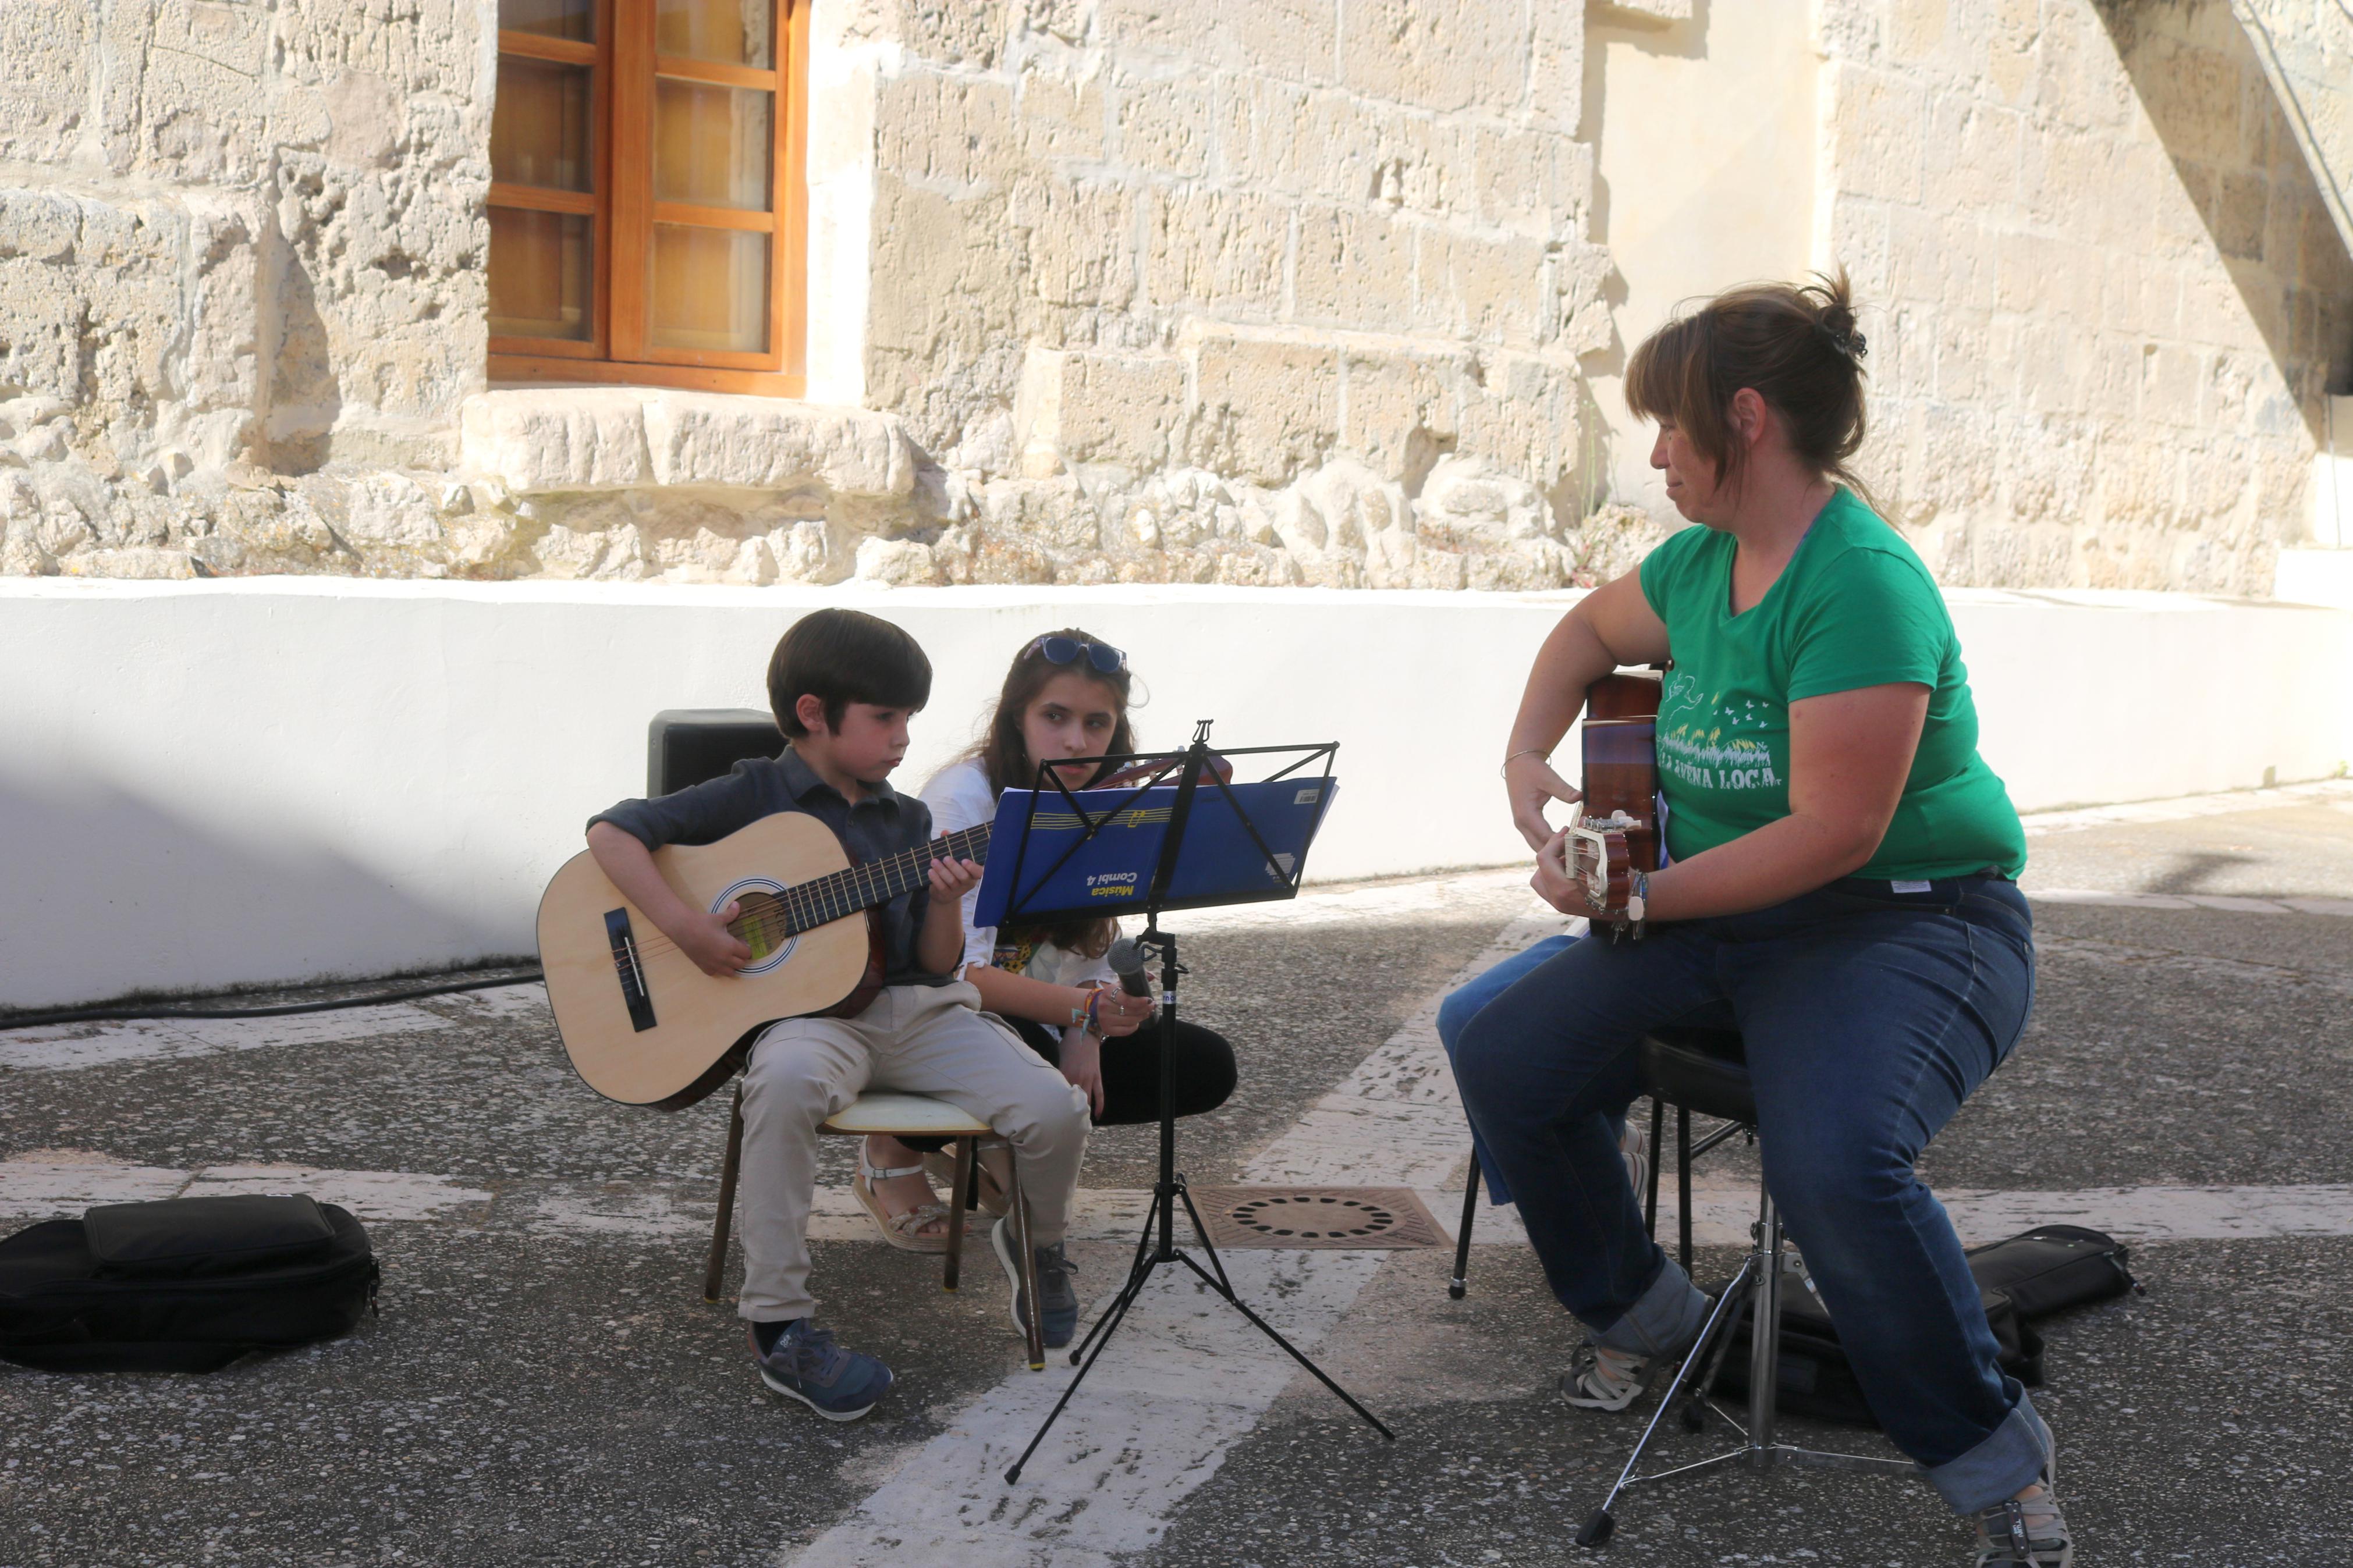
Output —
(646, 1026)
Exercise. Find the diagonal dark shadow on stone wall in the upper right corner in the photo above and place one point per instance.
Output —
(2204, 88)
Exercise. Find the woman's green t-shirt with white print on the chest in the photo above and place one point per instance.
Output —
(1855, 608)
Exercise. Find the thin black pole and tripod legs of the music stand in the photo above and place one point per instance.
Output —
(1171, 1191)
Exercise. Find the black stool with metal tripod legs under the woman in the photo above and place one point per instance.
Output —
(1707, 1071)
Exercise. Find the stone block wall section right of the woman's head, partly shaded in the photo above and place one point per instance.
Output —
(2109, 295)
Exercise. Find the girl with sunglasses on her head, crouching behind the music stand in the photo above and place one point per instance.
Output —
(1065, 704)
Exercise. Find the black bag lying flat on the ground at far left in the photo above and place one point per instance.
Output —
(185, 1285)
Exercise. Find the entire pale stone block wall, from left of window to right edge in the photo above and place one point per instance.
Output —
(1133, 290)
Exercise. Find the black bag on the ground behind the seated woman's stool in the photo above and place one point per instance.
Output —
(2025, 1278)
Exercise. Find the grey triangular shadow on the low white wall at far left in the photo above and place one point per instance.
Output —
(112, 894)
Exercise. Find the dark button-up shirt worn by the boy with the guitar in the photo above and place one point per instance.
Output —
(879, 826)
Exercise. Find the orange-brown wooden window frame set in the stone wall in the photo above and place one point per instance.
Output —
(625, 213)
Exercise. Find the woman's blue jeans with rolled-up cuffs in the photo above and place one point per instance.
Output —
(1869, 1017)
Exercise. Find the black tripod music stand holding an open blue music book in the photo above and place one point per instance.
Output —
(1182, 836)
